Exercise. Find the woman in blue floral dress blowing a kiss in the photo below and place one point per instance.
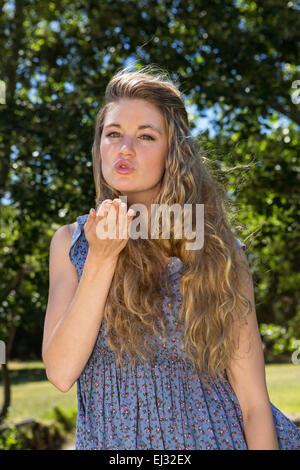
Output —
(162, 340)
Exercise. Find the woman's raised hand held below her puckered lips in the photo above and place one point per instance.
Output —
(111, 215)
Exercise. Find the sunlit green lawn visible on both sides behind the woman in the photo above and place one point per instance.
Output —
(34, 396)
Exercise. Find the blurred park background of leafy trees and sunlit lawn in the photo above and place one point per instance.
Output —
(237, 64)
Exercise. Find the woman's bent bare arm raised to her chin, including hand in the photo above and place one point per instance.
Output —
(75, 310)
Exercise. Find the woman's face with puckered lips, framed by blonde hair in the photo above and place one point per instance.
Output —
(143, 148)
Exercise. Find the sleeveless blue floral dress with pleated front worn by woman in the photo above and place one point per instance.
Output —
(160, 405)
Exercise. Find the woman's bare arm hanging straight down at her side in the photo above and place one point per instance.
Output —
(246, 374)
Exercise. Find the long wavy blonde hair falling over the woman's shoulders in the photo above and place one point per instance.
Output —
(213, 306)
